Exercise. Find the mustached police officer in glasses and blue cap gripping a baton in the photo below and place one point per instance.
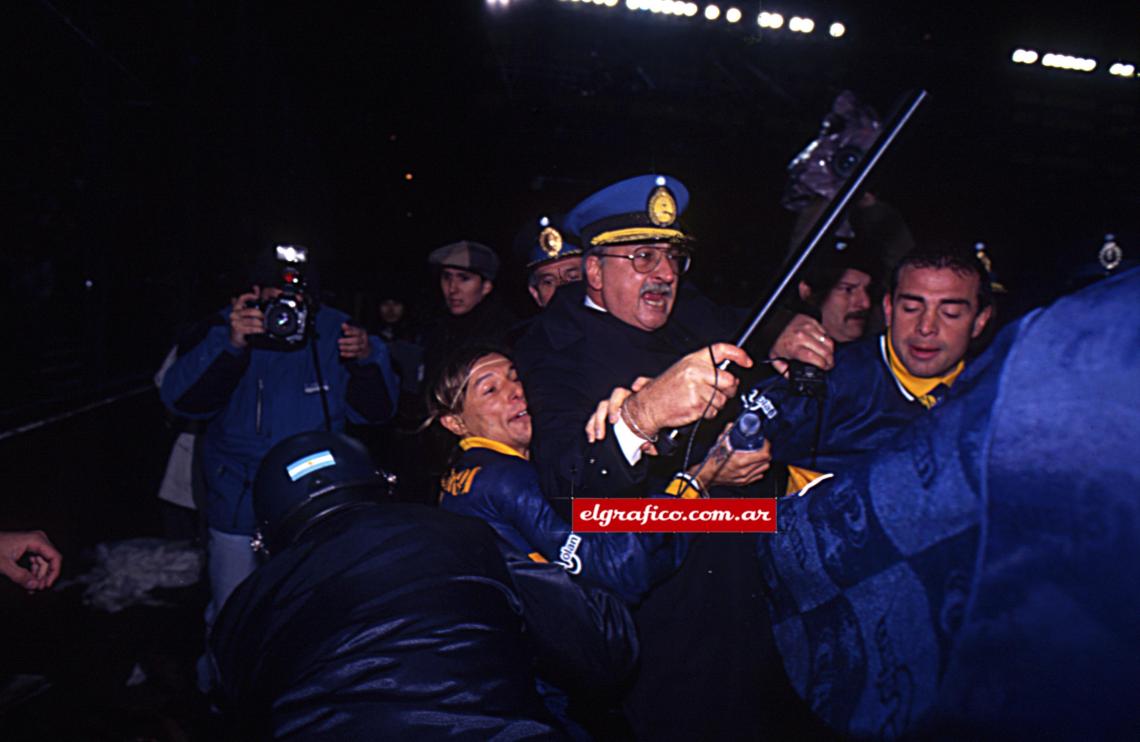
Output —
(707, 663)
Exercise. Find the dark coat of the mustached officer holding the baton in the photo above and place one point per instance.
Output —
(707, 659)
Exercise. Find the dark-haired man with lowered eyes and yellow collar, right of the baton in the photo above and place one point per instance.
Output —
(939, 303)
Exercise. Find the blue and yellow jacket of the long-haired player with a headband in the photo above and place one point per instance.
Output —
(494, 483)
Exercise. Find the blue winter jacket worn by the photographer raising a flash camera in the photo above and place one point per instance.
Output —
(256, 398)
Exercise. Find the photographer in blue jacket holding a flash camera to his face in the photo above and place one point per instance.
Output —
(272, 365)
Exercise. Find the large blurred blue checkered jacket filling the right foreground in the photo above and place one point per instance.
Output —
(975, 577)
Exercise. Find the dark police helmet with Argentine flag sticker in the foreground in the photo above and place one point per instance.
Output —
(307, 478)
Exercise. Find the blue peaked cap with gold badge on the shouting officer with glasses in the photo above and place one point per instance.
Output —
(639, 210)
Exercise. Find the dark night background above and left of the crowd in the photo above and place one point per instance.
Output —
(152, 148)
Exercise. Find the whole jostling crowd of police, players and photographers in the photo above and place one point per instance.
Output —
(447, 594)
